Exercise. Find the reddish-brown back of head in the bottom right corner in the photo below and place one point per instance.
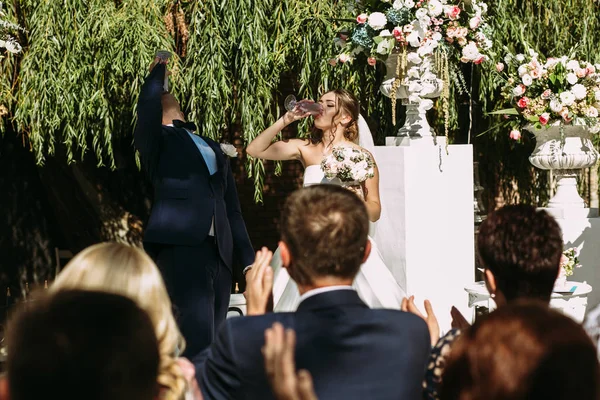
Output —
(522, 351)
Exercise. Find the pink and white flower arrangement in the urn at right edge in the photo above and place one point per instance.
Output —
(550, 91)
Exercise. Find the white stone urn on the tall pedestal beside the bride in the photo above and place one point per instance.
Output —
(416, 124)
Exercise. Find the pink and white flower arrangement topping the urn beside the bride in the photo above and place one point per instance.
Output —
(455, 26)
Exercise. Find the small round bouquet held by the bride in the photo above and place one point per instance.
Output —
(348, 164)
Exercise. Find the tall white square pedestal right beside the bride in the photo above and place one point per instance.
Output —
(429, 198)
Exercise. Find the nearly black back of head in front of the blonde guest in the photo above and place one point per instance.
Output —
(82, 345)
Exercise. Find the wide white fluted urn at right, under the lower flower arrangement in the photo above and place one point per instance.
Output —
(565, 158)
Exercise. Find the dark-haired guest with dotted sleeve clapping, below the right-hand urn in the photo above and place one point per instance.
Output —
(520, 249)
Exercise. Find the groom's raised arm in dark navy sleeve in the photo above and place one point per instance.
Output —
(149, 112)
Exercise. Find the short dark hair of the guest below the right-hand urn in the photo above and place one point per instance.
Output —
(522, 247)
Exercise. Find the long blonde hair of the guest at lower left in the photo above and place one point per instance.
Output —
(128, 271)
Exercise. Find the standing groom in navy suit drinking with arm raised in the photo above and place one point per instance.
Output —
(195, 233)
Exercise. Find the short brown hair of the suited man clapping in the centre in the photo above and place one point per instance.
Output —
(326, 229)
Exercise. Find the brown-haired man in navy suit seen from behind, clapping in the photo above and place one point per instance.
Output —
(351, 351)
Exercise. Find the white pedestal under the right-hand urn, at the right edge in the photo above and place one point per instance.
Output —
(581, 228)
